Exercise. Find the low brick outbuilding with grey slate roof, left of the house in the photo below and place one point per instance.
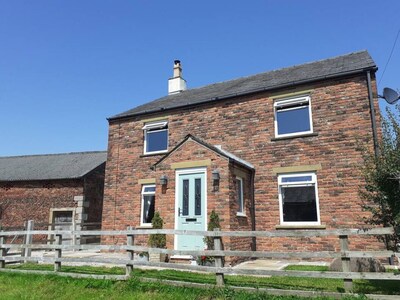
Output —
(54, 188)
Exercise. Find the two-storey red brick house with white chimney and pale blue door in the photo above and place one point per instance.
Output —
(272, 151)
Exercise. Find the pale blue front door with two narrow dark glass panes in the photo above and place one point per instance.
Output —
(191, 210)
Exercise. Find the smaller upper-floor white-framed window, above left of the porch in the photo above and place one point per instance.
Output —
(155, 137)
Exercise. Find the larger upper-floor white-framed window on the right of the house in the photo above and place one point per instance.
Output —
(293, 117)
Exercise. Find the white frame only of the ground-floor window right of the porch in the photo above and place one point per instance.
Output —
(313, 182)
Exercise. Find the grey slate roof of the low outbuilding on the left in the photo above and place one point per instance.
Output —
(50, 166)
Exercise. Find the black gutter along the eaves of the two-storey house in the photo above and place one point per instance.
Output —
(290, 84)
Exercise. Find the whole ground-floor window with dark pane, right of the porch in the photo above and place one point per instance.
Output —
(298, 199)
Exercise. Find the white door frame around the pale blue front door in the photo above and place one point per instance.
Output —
(189, 171)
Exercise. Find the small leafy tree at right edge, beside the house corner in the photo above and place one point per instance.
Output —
(381, 172)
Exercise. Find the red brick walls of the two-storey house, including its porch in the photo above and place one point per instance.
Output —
(244, 126)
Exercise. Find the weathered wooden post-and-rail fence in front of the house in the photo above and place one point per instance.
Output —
(218, 253)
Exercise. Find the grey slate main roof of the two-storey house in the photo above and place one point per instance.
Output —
(329, 68)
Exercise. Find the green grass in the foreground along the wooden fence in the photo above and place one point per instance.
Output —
(316, 284)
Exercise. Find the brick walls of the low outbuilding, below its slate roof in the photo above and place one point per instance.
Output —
(33, 200)
